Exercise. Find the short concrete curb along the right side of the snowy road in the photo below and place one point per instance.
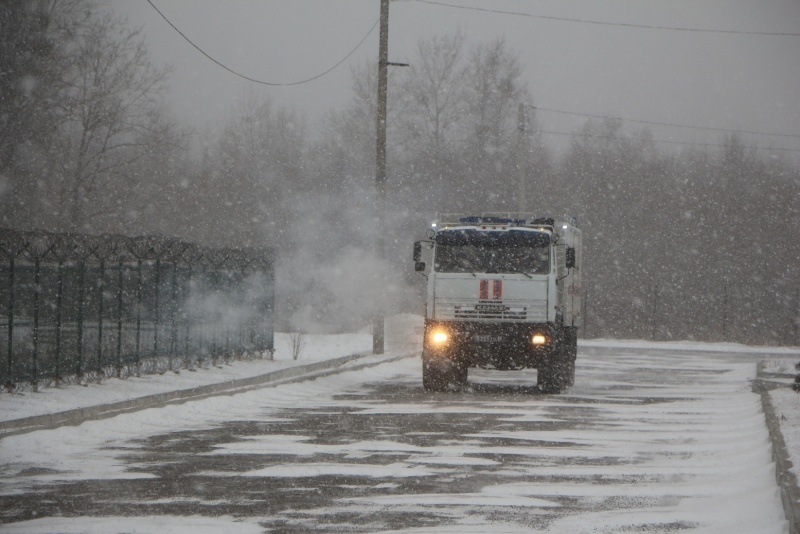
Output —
(790, 493)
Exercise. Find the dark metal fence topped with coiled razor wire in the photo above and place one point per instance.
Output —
(79, 307)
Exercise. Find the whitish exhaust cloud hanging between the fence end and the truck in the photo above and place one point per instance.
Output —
(329, 276)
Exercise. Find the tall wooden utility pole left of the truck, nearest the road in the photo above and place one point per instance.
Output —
(380, 171)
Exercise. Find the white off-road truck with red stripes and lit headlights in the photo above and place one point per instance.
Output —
(503, 292)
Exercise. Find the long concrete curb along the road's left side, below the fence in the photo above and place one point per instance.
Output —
(102, 411)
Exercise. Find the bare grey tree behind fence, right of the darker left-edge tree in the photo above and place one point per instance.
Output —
(113, 119)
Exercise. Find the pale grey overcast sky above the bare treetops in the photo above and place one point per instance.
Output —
(603, 66)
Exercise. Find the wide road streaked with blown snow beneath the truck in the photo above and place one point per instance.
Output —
(646, 441)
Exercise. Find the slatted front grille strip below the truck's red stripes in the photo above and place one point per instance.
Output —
(529, 311)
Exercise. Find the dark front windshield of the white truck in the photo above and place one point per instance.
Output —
(512, 251)
